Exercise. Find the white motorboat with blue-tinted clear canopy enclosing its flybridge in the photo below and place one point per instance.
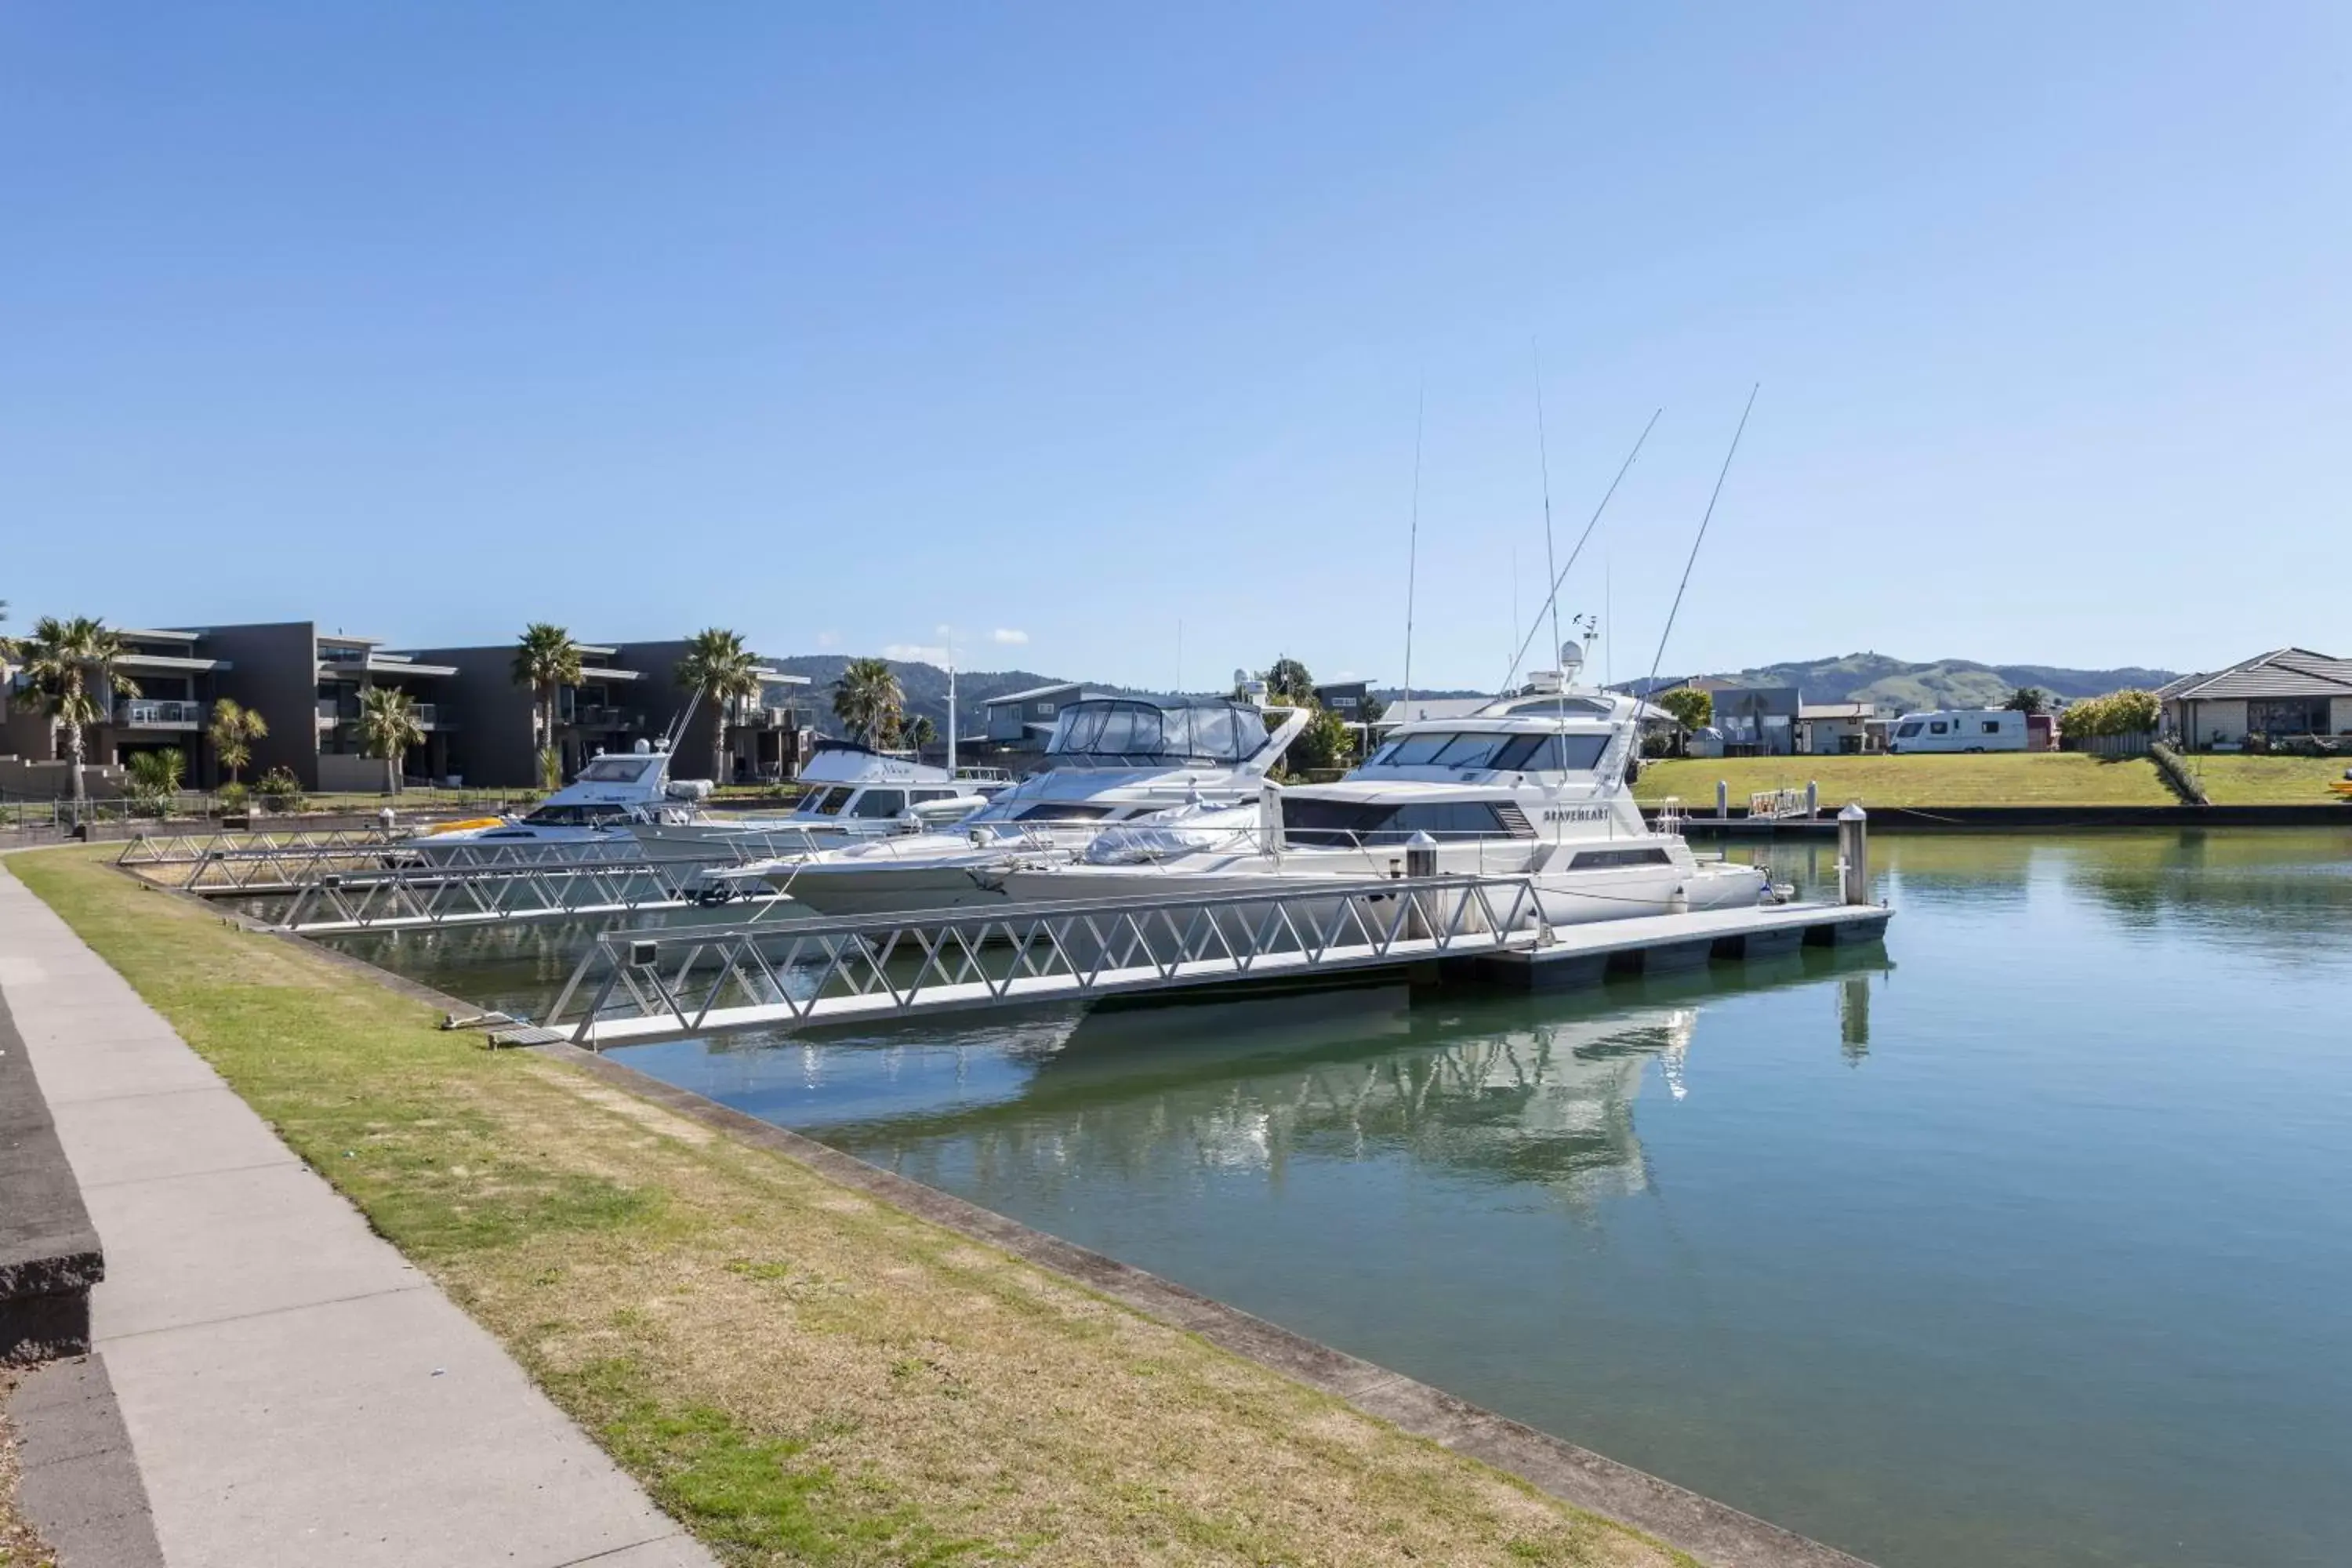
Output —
(1109, 763)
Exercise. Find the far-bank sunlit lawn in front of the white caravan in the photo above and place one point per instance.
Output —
(1996, 779)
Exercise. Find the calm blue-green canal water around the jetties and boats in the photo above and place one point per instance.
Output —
(2019, 1242)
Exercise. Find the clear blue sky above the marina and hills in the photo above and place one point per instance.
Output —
(843, 326)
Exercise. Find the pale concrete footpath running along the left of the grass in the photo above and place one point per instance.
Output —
(290, 1391)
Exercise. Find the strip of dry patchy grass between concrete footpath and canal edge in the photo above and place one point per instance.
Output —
(794, 1369)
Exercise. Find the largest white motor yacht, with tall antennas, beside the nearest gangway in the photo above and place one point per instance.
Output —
(1535, 784)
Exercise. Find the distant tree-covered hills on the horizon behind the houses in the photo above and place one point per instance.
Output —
(1857, 678)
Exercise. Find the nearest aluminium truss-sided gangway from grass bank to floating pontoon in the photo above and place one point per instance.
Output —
(646, 986)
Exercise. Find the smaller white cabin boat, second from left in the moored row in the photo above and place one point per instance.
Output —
(853, 793)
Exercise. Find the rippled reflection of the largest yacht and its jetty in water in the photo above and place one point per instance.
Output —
(1511, 1090)
